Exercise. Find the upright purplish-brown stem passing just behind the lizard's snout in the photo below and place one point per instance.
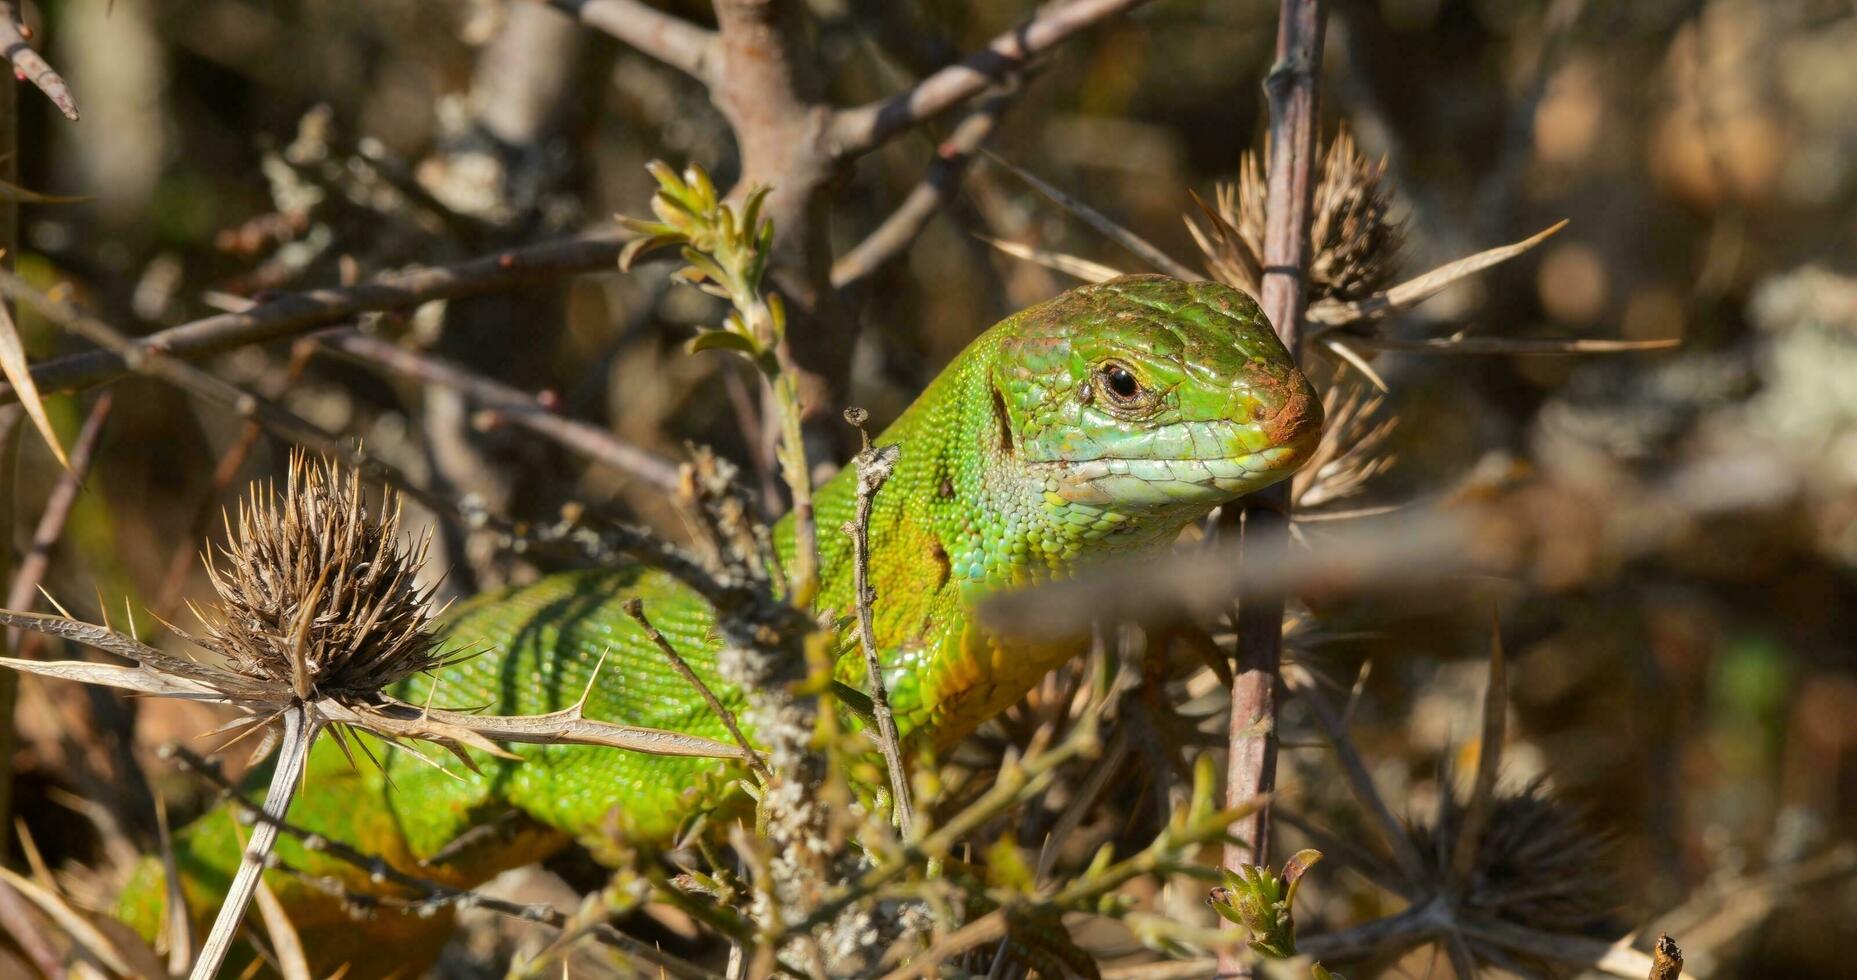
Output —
(1293, 90)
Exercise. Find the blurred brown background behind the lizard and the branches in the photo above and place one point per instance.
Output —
(1685, 664)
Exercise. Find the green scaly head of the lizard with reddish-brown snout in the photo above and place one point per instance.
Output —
(1149, 396)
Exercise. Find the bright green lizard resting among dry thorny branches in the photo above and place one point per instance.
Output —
(1091, 426)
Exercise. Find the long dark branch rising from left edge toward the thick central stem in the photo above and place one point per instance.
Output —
(298, 313)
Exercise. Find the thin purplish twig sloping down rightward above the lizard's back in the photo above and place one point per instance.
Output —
(510, 406)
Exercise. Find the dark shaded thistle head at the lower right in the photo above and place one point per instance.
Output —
(1539, 862)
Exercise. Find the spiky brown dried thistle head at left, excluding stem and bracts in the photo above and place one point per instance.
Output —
(318, 595)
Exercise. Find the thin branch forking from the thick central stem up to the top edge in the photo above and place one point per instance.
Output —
(859, 131)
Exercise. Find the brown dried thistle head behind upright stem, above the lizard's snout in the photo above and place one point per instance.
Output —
(1355, 244)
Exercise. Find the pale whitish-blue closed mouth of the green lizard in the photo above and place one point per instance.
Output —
(1175, 482)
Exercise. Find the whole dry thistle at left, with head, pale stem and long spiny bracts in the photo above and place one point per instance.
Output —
(317, 617)
